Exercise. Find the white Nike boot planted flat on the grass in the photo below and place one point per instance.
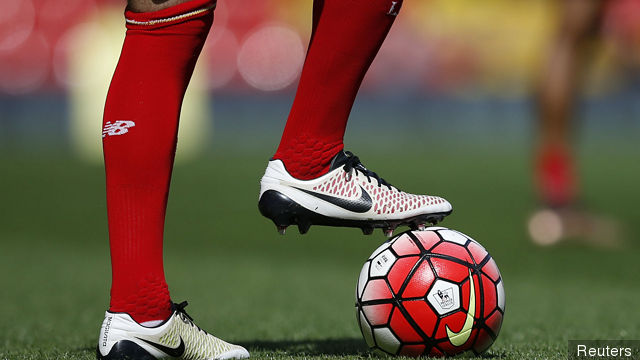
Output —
(177, 338)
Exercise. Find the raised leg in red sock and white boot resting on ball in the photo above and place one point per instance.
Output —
(310, 180)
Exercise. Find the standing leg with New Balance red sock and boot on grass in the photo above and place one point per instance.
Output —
(140, 123)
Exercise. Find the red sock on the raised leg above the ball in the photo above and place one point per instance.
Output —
(346, 37)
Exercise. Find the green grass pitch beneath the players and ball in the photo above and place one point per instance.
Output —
(292, 296)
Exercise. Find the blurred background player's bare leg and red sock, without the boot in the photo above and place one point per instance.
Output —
(560, 78)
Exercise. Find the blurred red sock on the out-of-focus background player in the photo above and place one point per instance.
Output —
(556, 179)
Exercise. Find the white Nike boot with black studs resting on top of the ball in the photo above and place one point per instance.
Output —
(348, 195)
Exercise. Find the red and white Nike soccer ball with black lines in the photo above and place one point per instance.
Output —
(434, 292)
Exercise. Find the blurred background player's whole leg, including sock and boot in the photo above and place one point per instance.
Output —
(560, 217)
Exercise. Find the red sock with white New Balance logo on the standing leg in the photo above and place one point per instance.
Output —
(139, 140)
